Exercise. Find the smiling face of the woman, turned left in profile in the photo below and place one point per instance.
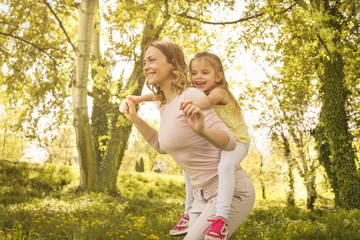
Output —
(156, 68)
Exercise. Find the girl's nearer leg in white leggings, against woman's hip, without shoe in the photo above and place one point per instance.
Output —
(229, 161)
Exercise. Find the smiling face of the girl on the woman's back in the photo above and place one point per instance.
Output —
(203, 75)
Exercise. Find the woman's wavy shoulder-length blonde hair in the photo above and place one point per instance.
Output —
(175, 56)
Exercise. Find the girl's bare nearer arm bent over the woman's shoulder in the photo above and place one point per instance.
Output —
(216, 96)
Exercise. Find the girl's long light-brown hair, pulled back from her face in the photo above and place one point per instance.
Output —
(216, 63)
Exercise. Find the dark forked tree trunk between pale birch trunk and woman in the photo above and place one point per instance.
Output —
(108, 162)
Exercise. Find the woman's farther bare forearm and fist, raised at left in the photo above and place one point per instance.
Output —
(128, 108)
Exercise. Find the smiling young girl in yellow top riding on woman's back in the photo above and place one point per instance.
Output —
(207, 74)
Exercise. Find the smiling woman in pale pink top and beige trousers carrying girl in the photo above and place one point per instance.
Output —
(193, 141)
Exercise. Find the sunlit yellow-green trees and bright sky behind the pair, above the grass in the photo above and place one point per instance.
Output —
(293, 65)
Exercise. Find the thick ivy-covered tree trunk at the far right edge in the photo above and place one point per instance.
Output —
(334, 139)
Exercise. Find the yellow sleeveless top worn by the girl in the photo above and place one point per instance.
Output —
(233, 121)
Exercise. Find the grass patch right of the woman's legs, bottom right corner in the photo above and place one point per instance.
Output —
(271, 221)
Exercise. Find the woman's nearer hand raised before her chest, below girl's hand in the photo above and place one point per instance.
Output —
(195, 118)
